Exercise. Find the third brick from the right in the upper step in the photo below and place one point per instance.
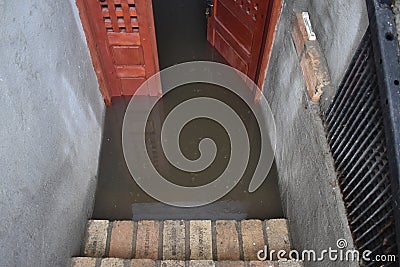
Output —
(227, 240)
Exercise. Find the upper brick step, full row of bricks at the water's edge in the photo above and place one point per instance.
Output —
(185, 240)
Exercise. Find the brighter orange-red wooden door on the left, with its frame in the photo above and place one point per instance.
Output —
(122, 43)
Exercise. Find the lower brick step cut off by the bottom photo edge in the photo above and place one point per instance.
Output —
(117, 262)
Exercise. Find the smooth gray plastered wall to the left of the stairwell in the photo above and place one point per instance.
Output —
(50, 132)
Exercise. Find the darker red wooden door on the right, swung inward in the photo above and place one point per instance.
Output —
(236, 29)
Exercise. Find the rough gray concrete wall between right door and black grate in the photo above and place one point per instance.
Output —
(311, 199)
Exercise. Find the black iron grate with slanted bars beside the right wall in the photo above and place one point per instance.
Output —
(356, 135)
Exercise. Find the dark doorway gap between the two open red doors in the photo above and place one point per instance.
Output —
(181, 32)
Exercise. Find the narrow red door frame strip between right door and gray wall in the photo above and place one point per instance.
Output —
(269, 37)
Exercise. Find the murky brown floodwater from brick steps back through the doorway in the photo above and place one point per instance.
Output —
(181, 36)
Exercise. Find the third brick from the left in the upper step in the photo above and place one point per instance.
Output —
(147, 240)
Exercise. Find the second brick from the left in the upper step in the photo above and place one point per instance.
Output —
(121, 239)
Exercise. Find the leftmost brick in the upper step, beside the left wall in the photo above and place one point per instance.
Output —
(96, 238)
